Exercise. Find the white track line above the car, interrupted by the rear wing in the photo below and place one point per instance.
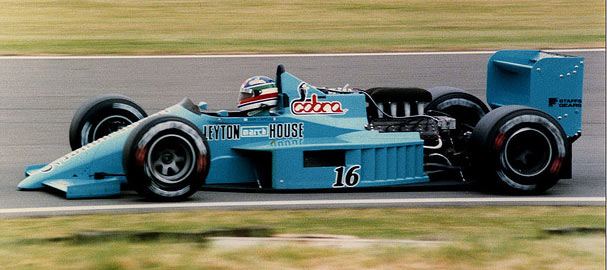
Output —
(66, 57)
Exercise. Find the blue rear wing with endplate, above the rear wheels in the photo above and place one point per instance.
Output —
(547, 81)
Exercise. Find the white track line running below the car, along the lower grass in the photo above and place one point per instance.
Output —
(302, 203)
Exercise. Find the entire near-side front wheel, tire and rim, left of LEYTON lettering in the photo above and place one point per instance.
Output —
(166, 158)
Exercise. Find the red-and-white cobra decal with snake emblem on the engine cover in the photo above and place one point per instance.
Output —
(311, 106)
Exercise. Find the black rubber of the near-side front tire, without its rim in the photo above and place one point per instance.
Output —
(137, 152)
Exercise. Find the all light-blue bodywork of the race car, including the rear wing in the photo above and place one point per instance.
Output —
(314, 139)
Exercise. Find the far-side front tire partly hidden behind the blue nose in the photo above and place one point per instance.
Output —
(101, 116)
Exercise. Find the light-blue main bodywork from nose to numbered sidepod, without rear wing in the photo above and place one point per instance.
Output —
(282, 137)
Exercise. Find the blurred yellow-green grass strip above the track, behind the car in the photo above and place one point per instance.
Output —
(186, 27)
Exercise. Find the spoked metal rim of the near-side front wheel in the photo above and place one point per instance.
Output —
(170, 159)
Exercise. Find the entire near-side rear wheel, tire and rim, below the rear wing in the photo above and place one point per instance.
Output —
(518, 150)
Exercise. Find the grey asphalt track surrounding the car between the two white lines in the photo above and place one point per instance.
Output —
(38, 96)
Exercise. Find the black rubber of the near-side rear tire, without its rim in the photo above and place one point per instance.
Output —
(488, 156)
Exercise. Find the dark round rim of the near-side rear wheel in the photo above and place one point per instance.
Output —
(527, 152)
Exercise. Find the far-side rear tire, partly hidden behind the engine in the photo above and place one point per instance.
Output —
(466, 108)
